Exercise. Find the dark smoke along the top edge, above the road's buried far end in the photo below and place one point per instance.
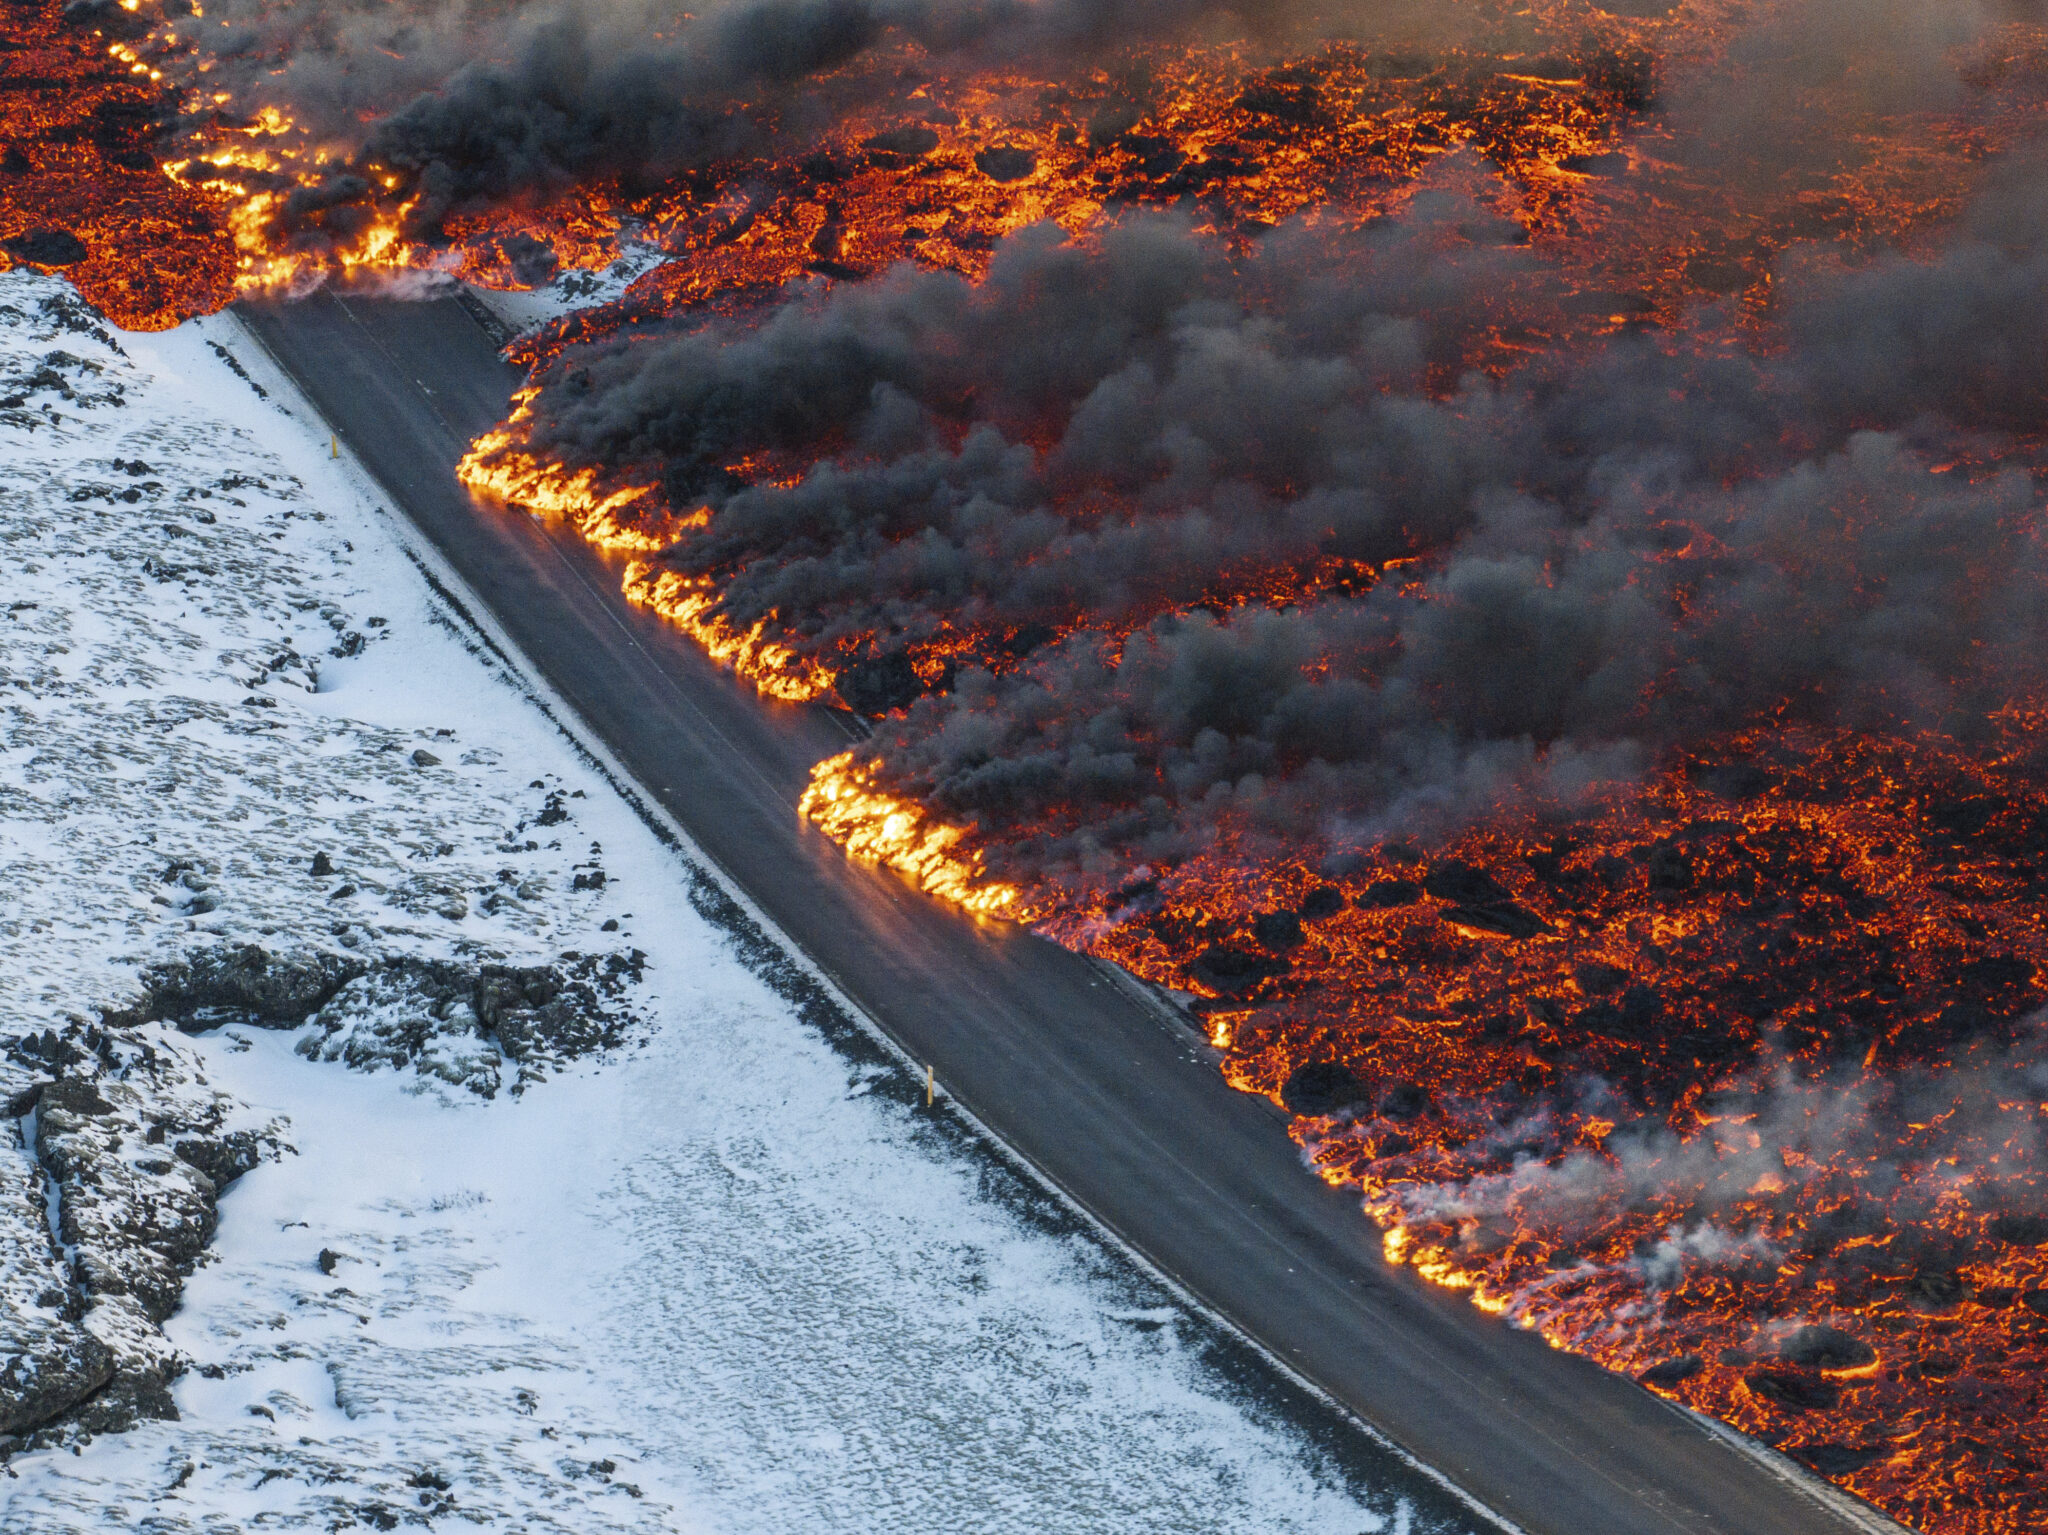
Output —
(476, 107)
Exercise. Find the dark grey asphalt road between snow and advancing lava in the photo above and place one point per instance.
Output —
(1101, 1092)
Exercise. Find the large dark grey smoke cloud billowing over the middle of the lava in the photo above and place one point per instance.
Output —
(1101, 439)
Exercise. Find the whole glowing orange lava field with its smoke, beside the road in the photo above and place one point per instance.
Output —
(1496, 552)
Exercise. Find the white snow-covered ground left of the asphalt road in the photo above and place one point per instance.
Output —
(701, 1268)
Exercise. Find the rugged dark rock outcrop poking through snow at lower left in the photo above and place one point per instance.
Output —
(116, 1151)
